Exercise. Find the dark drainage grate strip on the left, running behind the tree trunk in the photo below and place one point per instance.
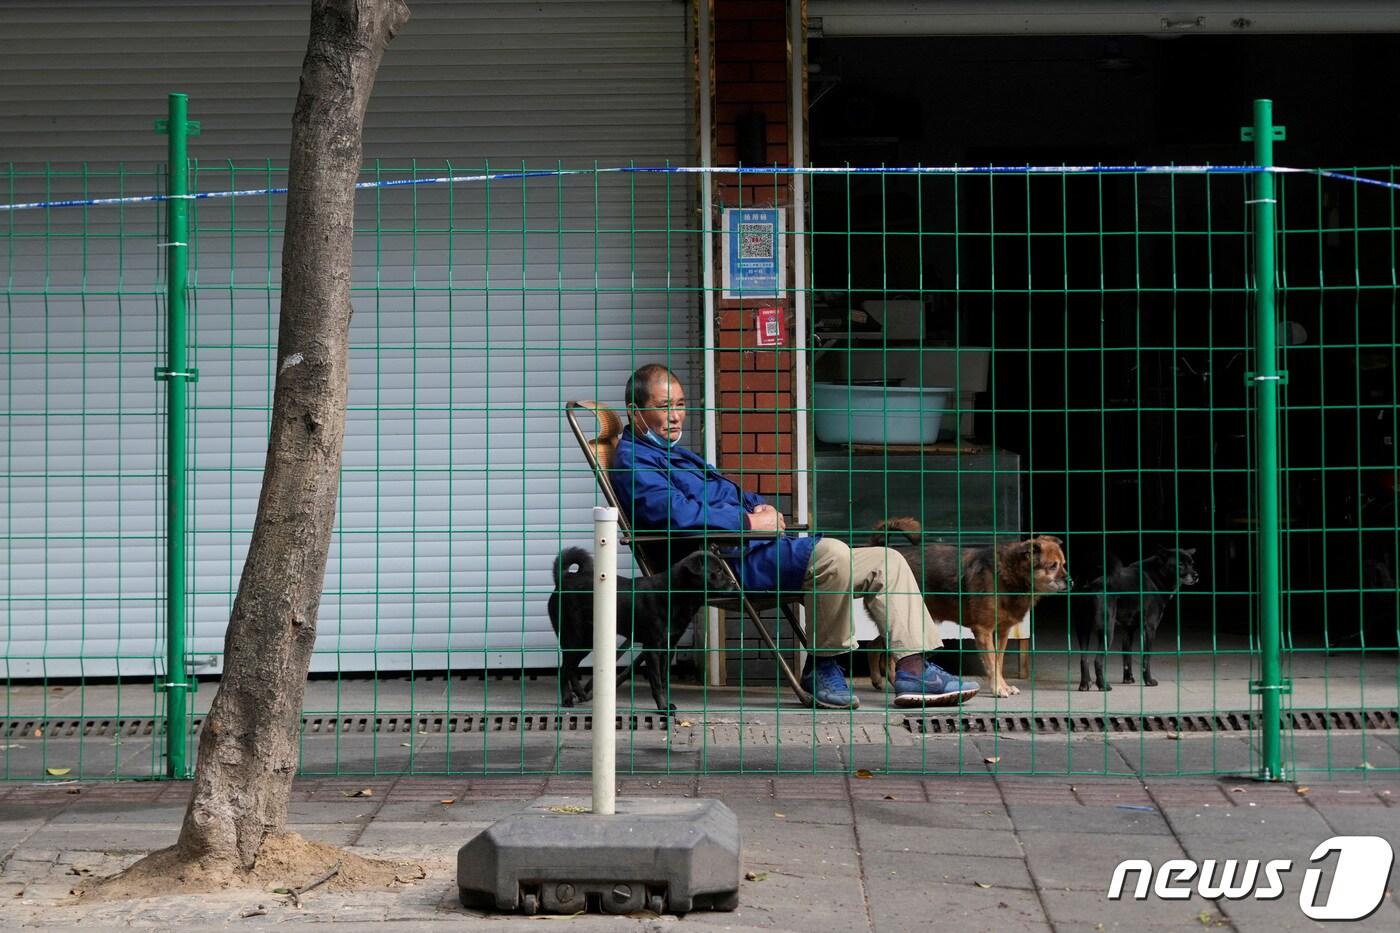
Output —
(433, 725)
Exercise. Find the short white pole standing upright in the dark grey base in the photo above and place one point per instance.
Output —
(605, 661)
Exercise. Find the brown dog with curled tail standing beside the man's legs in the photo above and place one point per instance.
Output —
(997, 586)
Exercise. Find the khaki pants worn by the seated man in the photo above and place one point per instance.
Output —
(892, 599)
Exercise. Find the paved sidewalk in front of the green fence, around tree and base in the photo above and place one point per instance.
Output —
(884, 854)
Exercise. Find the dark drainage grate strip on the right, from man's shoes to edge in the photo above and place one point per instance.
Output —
(1308, 721)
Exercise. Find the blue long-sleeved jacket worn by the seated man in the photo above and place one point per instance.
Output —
(675, 490)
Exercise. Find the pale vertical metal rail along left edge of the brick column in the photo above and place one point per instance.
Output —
(715, 633)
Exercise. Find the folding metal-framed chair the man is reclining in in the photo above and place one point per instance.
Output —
(646, 544)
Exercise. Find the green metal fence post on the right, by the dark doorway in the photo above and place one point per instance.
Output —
(1266, 439)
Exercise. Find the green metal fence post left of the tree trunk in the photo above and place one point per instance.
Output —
(177, 375)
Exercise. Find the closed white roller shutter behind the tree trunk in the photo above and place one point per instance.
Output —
(461, 480)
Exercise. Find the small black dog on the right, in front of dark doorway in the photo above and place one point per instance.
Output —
(1114, 602)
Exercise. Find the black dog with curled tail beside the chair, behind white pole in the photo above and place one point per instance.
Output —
(656, 610)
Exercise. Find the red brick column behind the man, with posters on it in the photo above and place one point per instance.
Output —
(755, 386)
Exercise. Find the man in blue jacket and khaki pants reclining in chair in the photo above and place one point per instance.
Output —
(667, 488)
